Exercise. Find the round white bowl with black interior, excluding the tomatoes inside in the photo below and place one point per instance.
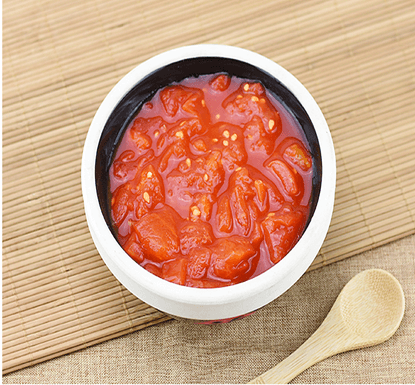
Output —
(122, 102)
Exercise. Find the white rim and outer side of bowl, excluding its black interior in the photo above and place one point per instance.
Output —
(132, 275)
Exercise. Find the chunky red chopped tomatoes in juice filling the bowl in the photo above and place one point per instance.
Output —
(211, 182)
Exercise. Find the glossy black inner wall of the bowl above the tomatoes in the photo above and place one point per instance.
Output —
(142, 92)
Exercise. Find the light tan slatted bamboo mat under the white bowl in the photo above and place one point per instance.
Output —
(60, 59)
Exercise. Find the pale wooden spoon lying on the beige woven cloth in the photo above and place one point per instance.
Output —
(367, 312)
